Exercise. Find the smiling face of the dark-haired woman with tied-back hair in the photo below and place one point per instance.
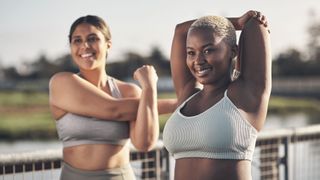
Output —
(89, 47)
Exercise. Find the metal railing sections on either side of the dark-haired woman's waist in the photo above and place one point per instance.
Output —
(45, 165)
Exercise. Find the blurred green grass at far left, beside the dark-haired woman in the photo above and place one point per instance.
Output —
(25, 115)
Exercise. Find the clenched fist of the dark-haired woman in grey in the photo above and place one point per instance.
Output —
(147, 76)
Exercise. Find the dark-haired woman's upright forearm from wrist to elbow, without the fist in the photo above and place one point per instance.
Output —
(146, 127)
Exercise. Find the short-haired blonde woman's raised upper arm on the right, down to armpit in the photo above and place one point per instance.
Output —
(251, 91)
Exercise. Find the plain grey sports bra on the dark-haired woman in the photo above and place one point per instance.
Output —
(76, 130)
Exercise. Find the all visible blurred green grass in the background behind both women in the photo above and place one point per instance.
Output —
(26, 115)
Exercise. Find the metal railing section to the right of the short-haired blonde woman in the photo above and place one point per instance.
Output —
(288, 154)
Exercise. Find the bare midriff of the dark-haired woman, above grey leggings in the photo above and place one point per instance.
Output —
(96, 156)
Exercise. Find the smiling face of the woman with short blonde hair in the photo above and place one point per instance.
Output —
(208, 56)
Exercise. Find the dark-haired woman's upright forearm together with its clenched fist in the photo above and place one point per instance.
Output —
(144, 132)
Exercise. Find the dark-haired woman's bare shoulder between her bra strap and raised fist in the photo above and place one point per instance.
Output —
(128, 89)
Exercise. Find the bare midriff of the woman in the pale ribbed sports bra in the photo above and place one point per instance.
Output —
(212, 169)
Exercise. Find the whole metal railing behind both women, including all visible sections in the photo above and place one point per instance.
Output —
(287, 154)
